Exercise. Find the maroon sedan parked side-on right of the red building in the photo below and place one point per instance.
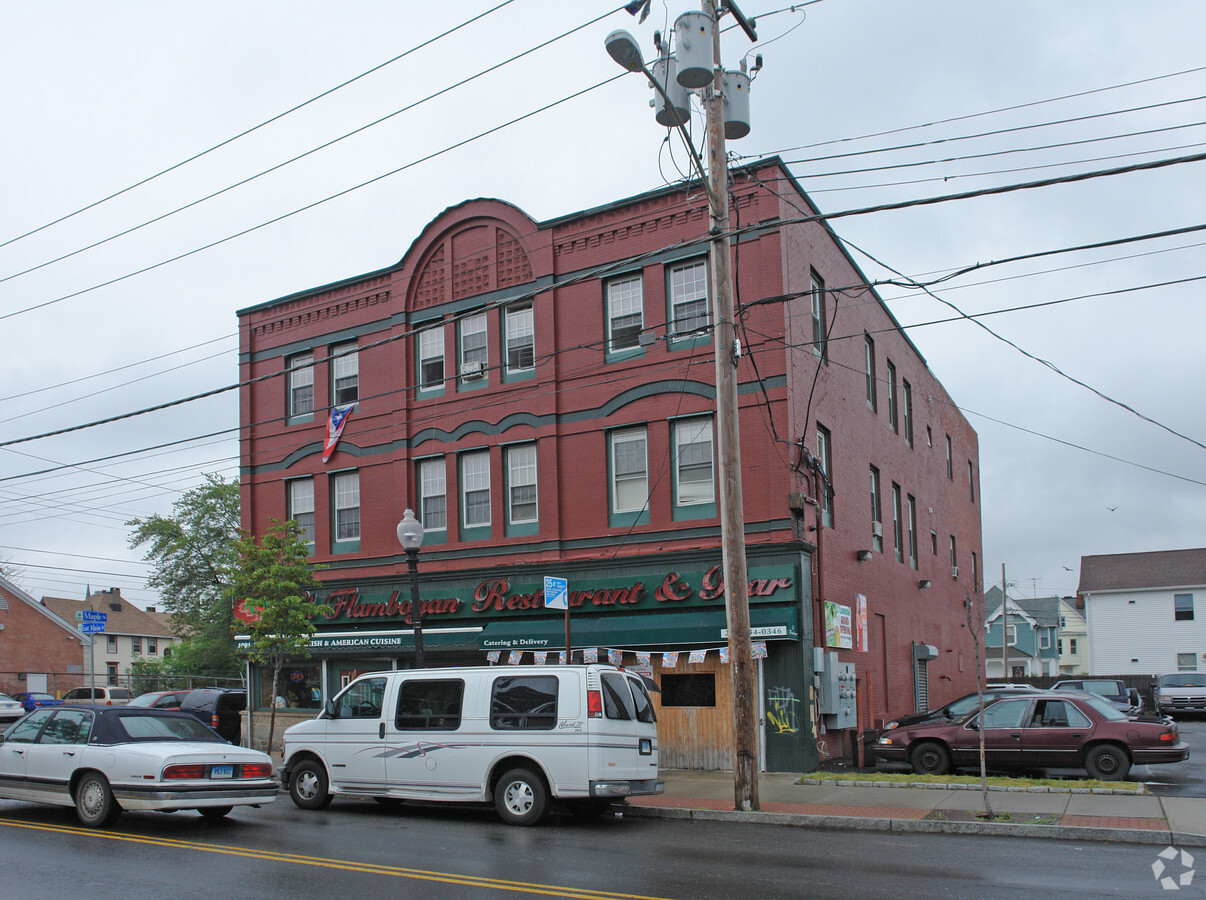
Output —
(1044, 730)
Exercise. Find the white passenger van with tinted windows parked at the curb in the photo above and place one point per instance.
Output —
(520, 737)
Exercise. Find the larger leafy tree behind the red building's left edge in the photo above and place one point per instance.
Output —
(190, 553)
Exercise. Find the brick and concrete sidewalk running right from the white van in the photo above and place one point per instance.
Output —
(862, 804)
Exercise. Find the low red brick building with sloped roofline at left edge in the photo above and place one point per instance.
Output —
(39, 651)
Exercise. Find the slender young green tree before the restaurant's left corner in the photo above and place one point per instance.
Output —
(273, 582)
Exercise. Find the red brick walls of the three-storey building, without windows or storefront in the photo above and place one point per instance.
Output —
(488, 258)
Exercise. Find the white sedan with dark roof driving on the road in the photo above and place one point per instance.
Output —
(107, 759)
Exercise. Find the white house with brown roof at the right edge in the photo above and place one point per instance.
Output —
(1141, 612)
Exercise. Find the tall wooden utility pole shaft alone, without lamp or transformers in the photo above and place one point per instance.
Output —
(733, 518)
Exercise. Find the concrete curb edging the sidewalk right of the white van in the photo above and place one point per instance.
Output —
(858, 823)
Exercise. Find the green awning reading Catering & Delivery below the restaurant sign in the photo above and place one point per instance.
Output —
(706, 627)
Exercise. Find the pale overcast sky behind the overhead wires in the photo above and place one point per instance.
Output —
(168, 165)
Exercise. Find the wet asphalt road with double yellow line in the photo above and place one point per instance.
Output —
(362, 851)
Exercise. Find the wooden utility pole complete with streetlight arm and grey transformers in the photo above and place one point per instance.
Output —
(705, 73)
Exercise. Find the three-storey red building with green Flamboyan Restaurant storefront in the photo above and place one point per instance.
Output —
(542, 395)
